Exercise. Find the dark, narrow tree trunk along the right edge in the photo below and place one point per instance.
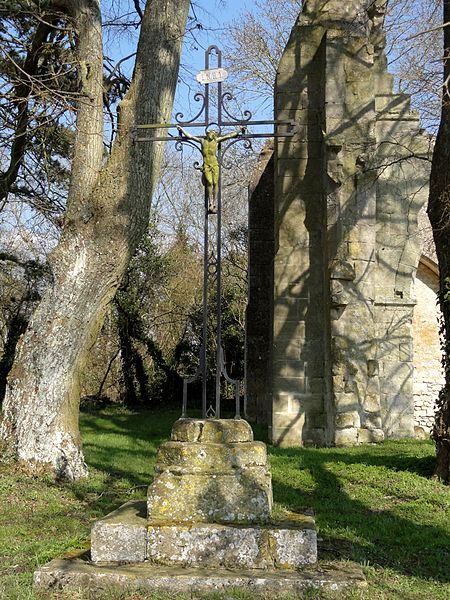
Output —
(439, 213)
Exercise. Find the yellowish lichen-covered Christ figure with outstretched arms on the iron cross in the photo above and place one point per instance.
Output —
(210, 167)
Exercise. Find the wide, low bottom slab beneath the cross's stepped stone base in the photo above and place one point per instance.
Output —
(79, 573)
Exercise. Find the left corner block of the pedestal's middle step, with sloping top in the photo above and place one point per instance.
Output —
(121, 536)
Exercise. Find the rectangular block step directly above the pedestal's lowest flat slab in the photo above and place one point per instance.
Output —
(125, 536)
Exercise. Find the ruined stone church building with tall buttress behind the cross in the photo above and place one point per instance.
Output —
(342, 341)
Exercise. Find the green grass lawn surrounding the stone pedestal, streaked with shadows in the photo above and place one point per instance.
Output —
(374, 505)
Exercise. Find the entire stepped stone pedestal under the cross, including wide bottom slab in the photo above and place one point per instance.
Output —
(206, 524)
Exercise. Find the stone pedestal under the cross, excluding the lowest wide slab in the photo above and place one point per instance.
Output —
(209, 505)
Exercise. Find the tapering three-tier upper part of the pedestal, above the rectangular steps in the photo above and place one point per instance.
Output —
(211, 472)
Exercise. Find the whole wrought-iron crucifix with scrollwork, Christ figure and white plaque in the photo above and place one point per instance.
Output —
(213, 147)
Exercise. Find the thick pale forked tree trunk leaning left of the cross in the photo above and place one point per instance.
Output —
(107, 214)
